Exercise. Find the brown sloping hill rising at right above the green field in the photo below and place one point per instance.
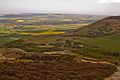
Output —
(104, 27)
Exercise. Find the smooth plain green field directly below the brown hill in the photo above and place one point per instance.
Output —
(110, 42)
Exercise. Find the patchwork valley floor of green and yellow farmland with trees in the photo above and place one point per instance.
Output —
(50, 37)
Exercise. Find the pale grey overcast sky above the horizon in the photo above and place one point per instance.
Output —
(94, 7)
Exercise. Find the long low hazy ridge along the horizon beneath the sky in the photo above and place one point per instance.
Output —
(26, 15)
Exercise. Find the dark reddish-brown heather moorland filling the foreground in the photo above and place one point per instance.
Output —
(54, 71)
